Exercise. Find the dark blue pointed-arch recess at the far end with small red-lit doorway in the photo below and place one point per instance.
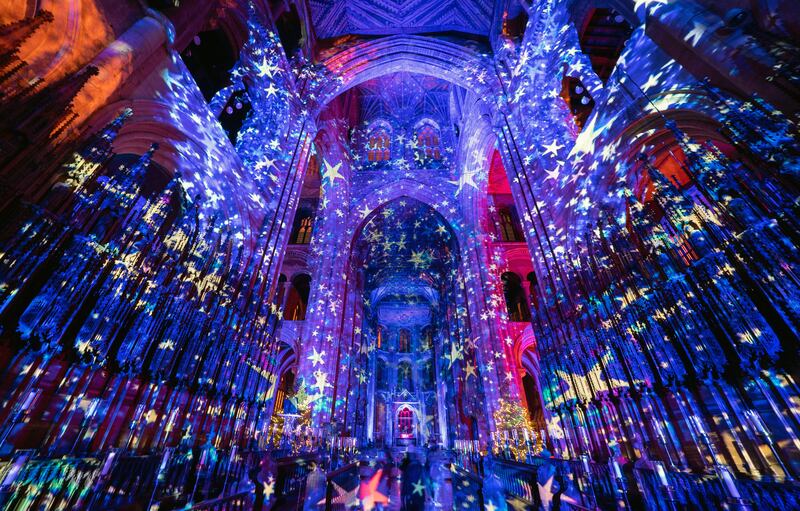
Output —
(407, 260)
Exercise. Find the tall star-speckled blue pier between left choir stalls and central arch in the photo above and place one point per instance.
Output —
(273, 144)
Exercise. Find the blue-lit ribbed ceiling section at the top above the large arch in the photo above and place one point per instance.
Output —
(333, 18)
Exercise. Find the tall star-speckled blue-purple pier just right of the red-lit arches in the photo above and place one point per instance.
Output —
(534, 137)
